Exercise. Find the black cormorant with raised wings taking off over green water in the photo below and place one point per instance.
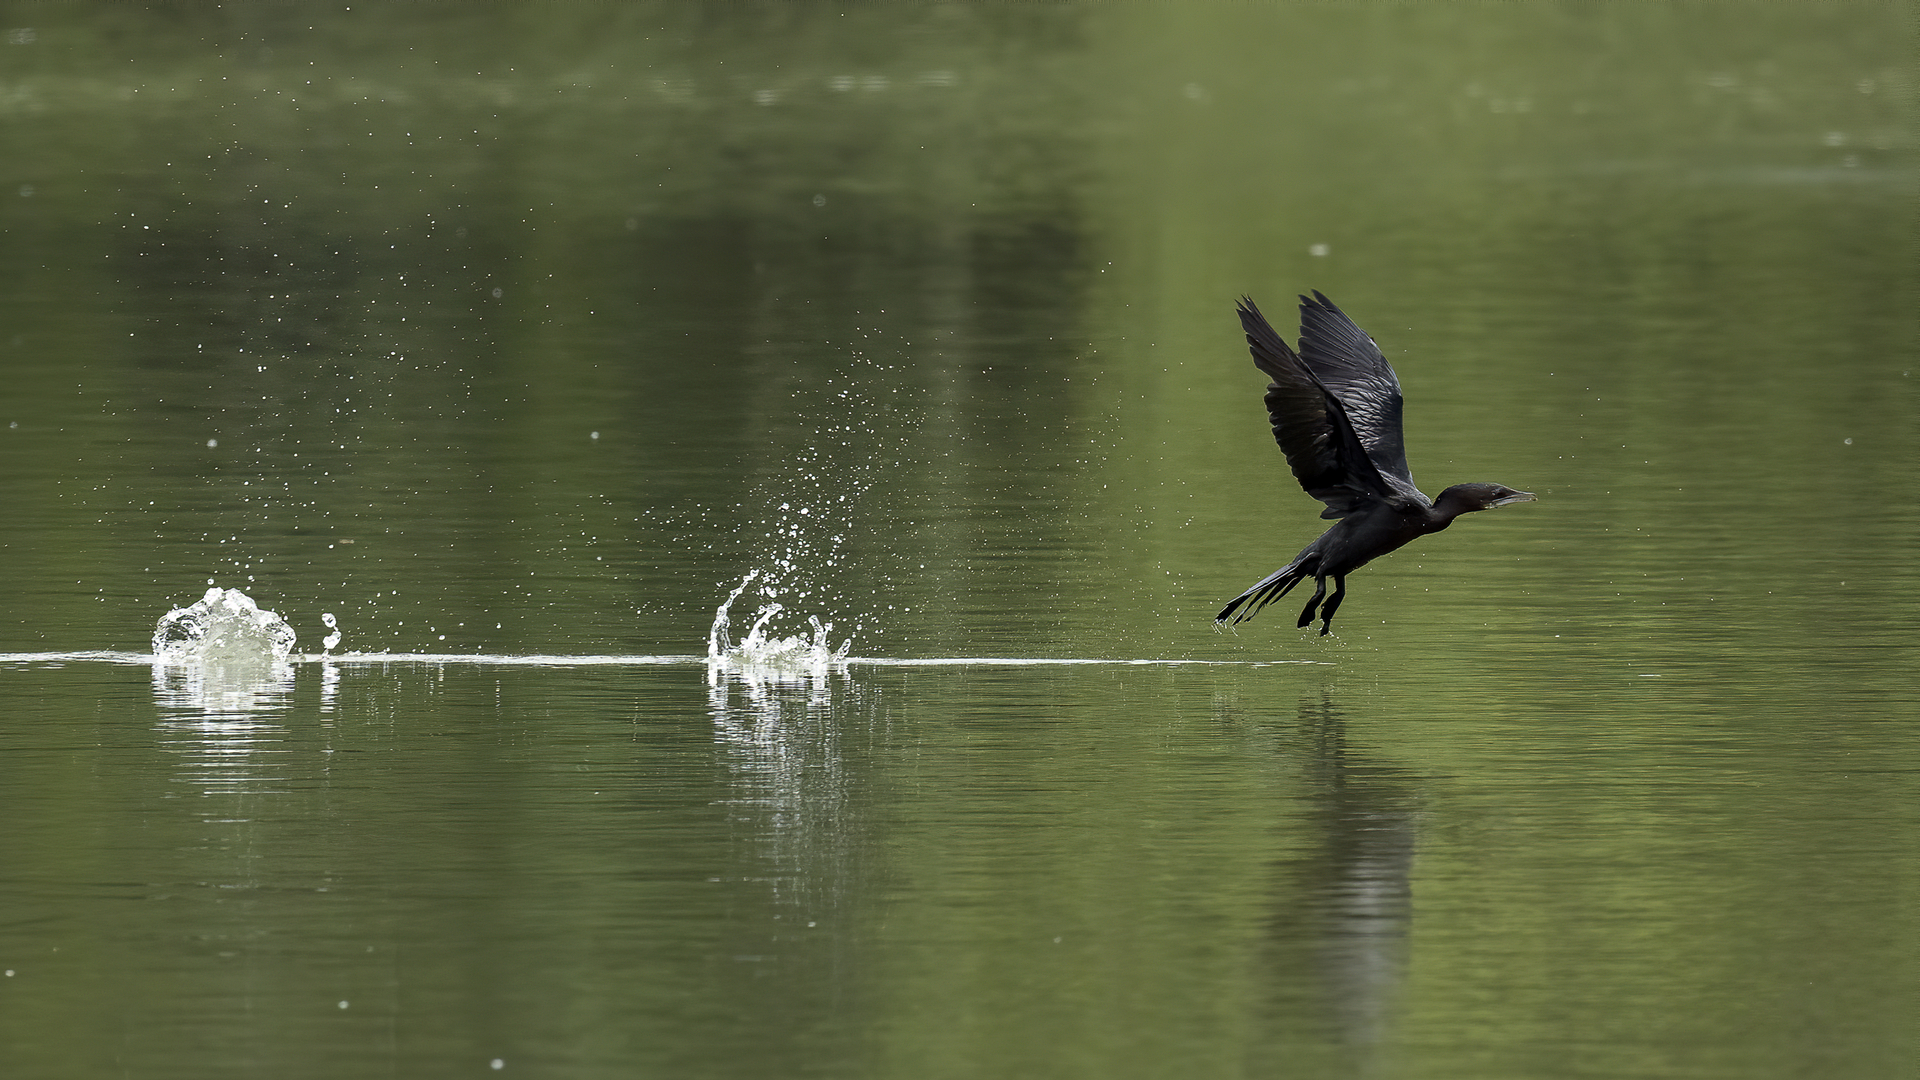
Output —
(1335, 410)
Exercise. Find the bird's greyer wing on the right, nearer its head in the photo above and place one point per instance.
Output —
(1349, 362)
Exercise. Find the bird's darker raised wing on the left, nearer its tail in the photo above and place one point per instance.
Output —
(1312, 426)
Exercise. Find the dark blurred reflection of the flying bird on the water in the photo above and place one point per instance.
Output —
(1339, 943)
